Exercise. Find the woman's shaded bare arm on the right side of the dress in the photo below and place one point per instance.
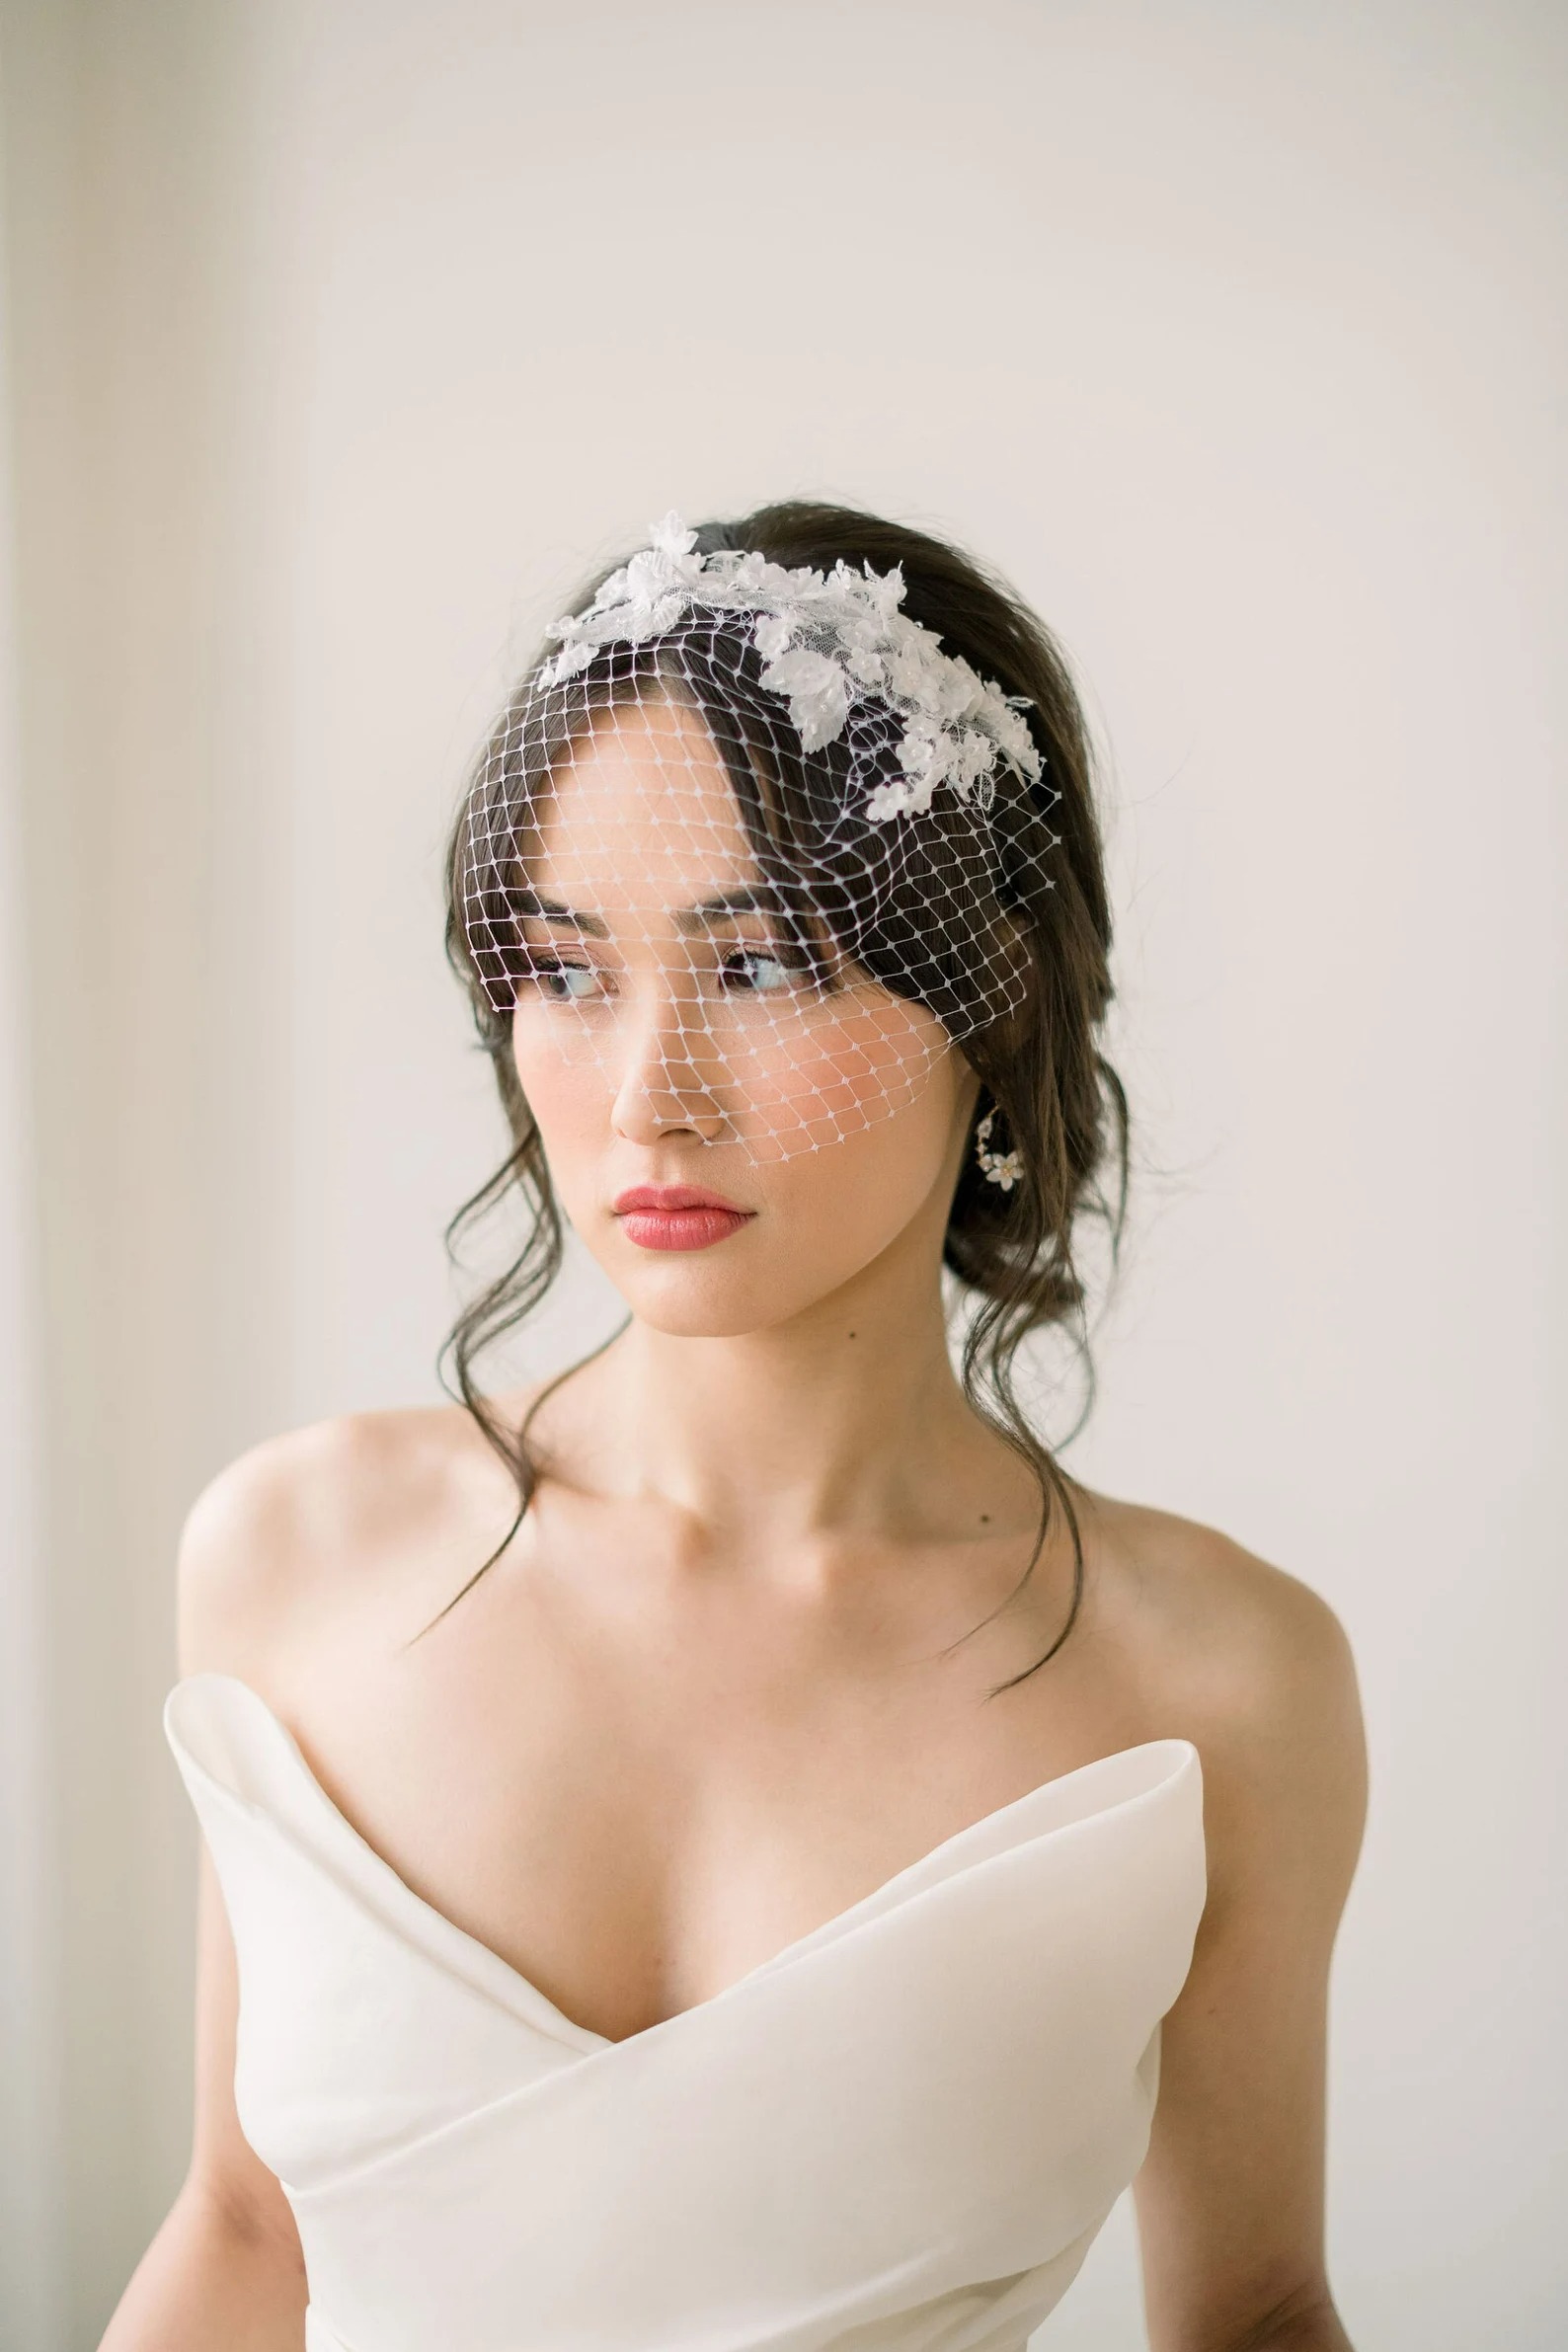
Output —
(1231, 2200)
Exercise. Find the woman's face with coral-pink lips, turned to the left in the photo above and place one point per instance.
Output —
(674, 1041)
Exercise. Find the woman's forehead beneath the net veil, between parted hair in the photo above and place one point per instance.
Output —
(641, 813)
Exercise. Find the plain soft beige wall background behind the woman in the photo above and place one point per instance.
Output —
(340, 335)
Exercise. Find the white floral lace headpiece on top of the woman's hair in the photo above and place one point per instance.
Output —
(829, 643)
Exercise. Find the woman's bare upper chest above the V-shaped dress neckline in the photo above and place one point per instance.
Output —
(638, 1784)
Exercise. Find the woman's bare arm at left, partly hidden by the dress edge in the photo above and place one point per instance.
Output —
(227, 2266)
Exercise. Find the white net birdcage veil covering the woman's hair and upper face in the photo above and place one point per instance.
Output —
(678, 893)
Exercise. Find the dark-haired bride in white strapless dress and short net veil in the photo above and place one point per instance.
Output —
(735, 1847)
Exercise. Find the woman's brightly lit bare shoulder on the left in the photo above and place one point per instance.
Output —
(316, 1523)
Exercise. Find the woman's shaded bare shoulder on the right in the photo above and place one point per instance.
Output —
(1257, 1669)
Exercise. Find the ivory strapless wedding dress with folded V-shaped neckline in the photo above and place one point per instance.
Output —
(899, 2134)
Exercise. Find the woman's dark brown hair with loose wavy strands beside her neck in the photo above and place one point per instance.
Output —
(906, 918)
